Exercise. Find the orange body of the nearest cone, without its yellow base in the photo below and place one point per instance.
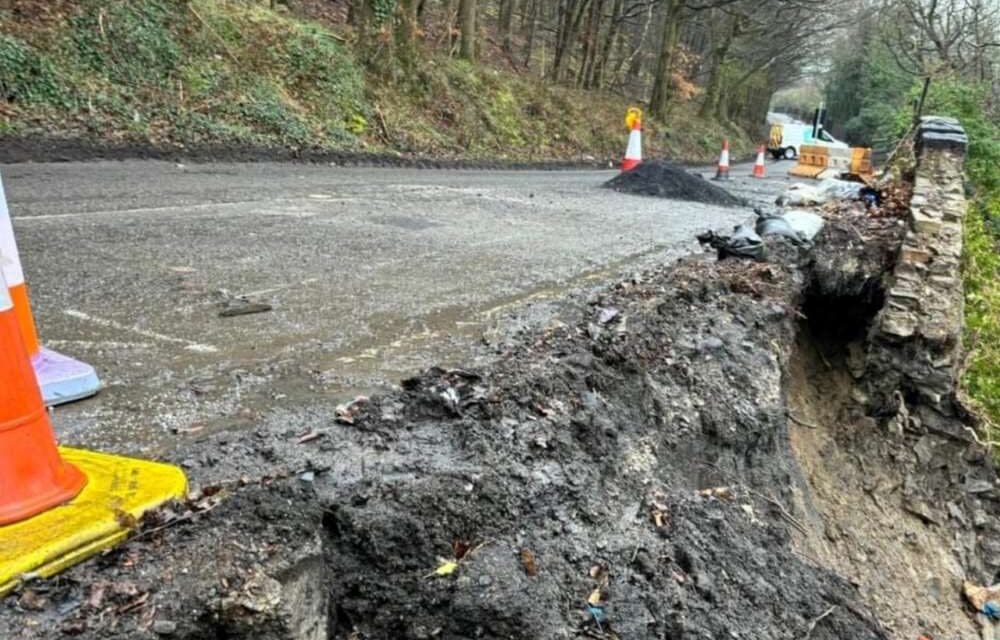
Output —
(33, 476)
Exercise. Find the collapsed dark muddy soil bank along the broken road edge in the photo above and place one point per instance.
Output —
(629, 472)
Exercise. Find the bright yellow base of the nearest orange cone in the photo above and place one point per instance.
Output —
(95, 520)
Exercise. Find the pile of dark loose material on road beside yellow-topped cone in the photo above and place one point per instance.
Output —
(667, 180)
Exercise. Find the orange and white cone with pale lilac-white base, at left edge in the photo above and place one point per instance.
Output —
(61, 378)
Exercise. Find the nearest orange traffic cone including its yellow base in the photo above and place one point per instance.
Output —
(59, 506)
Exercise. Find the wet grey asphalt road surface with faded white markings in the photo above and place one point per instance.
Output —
(372, 274)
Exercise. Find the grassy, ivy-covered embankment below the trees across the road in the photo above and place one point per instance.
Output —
(211, 72)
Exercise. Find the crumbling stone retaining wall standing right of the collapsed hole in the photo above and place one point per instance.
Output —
(915, 342)
